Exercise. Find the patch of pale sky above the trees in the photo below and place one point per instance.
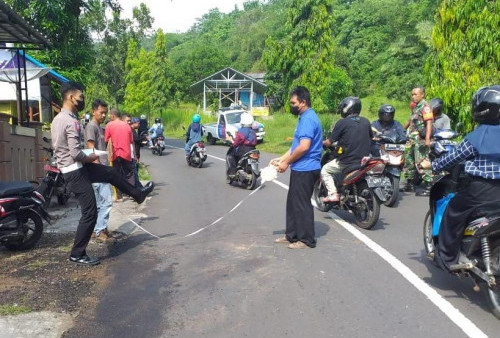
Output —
(177, 16)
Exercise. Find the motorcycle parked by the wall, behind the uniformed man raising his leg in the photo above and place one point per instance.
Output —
(53, 182)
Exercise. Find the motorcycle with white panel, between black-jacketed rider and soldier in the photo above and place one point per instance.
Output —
(392, 150)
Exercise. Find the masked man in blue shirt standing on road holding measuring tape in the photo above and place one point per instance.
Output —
(303, 158)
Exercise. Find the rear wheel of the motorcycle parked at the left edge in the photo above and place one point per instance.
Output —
(32, 225)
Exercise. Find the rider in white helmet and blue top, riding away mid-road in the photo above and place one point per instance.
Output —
(245, 140)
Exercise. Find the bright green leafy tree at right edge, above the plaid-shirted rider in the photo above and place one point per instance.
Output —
(466, 53)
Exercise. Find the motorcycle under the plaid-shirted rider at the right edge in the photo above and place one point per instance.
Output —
(480, 243)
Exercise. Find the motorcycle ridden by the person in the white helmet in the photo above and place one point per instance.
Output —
(247, 168)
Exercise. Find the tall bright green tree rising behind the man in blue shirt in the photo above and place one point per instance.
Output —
(304, 56)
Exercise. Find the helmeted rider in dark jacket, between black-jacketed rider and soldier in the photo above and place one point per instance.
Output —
(386, 125)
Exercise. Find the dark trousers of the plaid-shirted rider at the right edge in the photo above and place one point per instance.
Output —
(479, 193)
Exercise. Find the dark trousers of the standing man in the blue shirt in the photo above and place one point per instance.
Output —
(299, 210)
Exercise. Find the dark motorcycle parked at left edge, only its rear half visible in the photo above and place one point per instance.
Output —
(21, 214)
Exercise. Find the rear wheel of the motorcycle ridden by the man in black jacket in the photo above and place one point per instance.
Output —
(367, 210)
